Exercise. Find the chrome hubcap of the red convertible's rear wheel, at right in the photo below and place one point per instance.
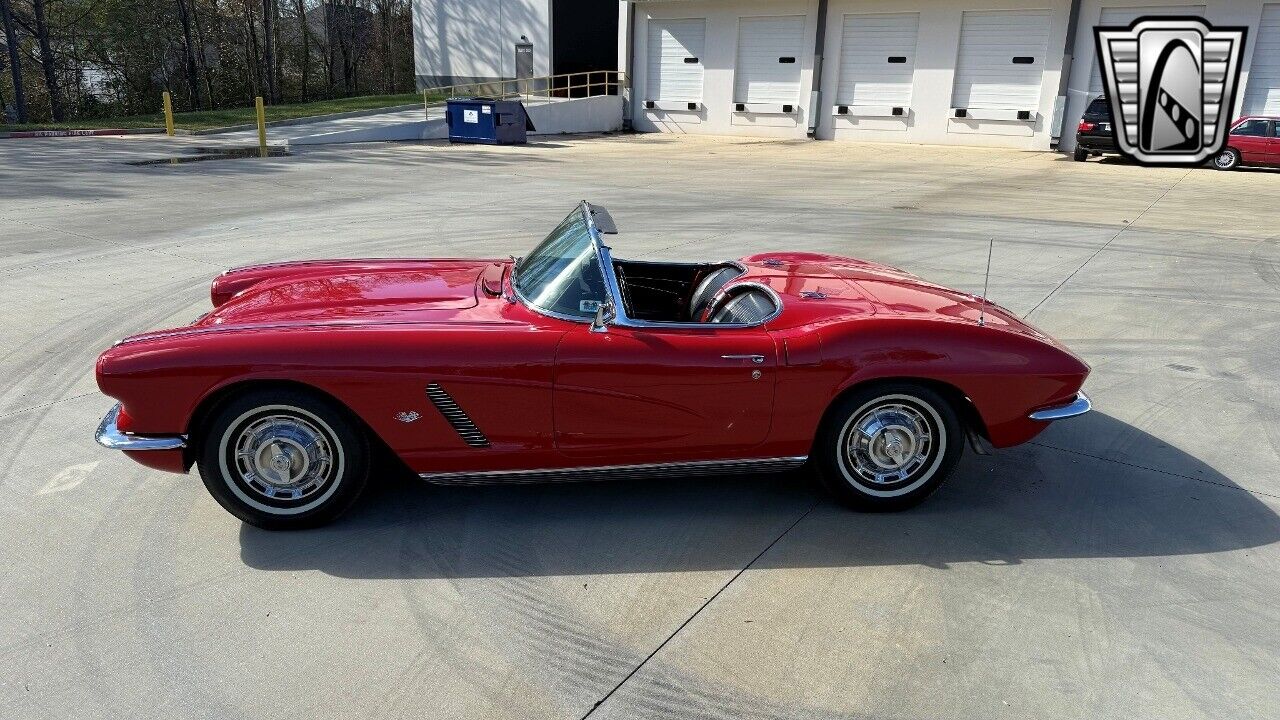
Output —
(889, 443)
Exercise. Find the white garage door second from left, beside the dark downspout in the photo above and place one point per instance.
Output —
(769, 61)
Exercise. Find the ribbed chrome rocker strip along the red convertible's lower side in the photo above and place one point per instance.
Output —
(619, 472)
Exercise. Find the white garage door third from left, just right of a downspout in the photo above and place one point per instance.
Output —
(877, 60)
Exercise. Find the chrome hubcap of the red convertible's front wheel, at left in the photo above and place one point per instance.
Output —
(284, 458)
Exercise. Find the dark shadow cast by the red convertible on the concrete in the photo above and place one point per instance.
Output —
(1022, 504)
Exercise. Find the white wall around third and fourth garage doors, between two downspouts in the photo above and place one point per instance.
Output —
(938, 49)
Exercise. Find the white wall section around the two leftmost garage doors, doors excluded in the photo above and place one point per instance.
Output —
(720, 57)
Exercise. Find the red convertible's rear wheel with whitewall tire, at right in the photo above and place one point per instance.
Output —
(888, 446)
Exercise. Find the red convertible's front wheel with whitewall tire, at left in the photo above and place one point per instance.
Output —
(284, 459)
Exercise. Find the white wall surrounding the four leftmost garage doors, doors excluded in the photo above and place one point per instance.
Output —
(930, 120)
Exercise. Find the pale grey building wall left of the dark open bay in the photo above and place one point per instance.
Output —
(472, 40)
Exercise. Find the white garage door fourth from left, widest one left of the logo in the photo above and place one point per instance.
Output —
(1002, 63)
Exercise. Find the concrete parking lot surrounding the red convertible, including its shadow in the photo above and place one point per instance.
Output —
(1124, 564)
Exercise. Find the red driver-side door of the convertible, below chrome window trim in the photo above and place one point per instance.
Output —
(652, 395)
